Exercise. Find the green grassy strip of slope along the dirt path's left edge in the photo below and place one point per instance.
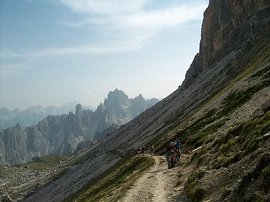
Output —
(113, 184)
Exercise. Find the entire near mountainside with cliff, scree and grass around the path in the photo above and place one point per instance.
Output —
(221, 113)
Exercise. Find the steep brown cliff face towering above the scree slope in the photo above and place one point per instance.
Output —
(226, 25)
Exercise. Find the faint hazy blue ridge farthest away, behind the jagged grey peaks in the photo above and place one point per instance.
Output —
(32, 115)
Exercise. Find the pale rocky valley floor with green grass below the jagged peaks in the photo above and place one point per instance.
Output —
(19, 181)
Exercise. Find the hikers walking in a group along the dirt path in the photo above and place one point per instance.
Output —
(172, 152)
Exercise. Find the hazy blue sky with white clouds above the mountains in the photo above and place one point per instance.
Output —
(57, 51)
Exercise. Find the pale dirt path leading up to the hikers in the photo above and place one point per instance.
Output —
(155, 185)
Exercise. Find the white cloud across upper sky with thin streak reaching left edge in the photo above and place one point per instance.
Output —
(128, 25)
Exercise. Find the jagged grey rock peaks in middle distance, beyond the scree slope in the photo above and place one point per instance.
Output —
(60, 135)
